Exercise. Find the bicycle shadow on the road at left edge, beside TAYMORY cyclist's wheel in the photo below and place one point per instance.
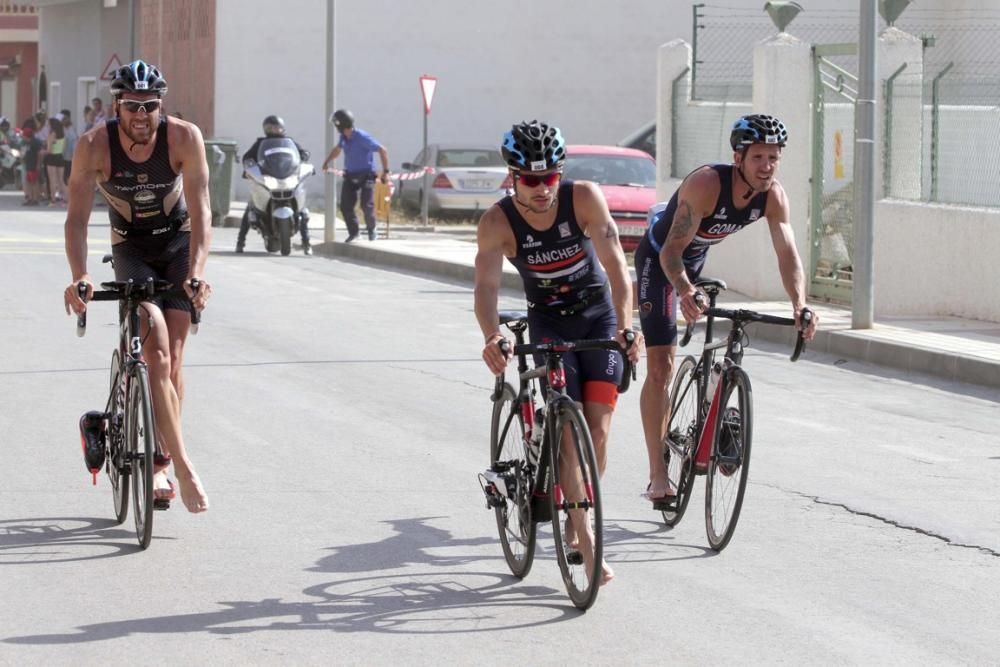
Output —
(46, 540)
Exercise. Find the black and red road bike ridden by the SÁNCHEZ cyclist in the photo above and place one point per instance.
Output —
(542, 462)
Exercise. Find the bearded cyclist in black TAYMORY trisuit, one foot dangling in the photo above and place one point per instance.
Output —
(160, 228)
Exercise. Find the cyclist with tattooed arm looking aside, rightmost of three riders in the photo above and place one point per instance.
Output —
(711, 203)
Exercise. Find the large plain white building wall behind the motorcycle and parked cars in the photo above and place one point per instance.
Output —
(586, 65)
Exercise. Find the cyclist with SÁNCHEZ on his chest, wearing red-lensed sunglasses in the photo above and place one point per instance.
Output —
(561, 238)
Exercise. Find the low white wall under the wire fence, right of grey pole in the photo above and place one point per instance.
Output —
(936, 260)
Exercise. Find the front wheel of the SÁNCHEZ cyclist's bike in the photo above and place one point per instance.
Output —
(576, 503)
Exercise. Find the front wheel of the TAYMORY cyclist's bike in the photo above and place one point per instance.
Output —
(141, 430)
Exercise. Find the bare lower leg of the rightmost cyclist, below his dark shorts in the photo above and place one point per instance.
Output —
(654, 405)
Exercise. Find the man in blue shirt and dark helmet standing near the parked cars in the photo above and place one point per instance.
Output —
(359, 149)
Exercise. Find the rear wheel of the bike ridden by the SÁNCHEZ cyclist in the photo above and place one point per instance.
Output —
(509, 460)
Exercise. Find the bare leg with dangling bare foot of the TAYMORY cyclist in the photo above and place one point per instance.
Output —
(167, 405)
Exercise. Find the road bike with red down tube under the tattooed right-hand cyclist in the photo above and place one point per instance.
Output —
(711, 418)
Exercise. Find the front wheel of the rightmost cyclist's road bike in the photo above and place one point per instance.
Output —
(729, 466)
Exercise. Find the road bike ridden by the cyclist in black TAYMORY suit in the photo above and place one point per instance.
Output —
(128, 425)
